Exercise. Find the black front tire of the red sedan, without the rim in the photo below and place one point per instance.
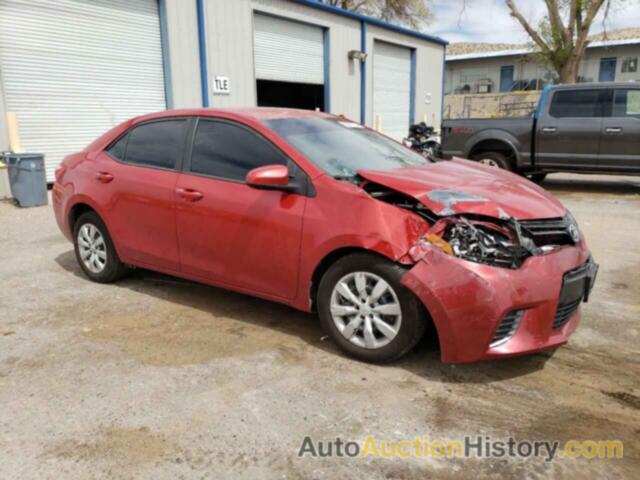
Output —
(413, 320)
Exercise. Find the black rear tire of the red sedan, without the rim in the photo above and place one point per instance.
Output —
(113, 269)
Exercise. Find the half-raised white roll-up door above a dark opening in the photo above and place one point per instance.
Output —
(288, 51)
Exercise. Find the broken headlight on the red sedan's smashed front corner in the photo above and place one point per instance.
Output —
(482, 242)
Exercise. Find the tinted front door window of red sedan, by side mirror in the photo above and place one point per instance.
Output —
(227, 150)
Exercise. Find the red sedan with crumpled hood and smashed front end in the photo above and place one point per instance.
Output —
(320, 213)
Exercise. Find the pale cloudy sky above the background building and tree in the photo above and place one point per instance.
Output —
(489, 20)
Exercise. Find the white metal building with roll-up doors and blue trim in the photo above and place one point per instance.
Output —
(72, 69)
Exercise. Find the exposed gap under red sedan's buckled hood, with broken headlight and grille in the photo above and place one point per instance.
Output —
(503, 242)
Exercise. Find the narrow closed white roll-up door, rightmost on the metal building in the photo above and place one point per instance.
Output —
(392, 88)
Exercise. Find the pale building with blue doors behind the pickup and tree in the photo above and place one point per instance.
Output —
(491, 68)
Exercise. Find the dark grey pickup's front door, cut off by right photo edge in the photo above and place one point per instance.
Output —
(620, 144)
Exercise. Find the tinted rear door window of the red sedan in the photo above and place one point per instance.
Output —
(156, 144)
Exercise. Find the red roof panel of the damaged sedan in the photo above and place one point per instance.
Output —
(247, 113)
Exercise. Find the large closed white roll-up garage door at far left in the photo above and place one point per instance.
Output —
(72, 69)
